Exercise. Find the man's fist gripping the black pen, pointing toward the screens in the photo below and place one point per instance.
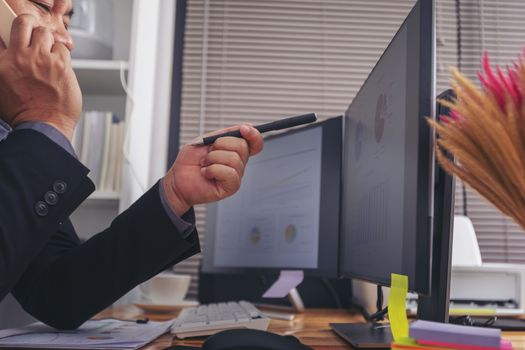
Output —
(203, 174)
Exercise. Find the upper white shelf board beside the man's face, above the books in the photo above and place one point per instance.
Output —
(99, 77)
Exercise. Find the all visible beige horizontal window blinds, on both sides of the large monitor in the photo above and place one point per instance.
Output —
(257, 61)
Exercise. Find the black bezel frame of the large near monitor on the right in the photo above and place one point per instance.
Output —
(425, 174)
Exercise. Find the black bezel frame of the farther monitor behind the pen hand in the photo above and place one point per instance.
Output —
(329, 210)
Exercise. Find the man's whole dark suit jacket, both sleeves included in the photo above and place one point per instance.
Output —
(55, 278)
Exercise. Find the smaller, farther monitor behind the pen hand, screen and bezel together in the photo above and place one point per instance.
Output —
(285, 216)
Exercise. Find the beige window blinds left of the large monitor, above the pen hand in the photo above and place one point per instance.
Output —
(262, 60)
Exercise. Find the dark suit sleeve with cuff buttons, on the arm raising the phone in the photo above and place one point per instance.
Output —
(40, 186)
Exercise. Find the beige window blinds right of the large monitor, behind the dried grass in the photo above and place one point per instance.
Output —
(495, 26)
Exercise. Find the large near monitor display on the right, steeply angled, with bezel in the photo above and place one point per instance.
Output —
(386, 215)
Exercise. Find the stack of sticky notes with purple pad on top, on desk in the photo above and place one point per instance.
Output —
(433, 335)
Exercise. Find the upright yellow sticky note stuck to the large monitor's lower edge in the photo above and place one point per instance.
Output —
(397, 313)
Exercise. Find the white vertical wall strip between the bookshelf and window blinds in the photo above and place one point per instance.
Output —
(150, 87)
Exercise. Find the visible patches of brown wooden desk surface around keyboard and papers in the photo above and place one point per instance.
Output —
(311, 328)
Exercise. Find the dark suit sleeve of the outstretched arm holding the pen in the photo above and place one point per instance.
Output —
(69, 283)
